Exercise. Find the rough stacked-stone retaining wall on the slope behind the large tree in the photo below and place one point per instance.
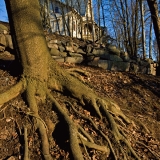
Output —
(65, 49)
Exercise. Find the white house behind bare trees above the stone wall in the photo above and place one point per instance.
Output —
(72, 18)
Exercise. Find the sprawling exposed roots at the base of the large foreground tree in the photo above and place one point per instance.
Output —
(36, 93)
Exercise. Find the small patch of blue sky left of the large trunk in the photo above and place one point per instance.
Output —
(3, 12)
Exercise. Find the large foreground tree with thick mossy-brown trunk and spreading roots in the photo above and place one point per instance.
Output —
(41, 75)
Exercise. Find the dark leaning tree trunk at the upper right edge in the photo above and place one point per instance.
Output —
(153, 6)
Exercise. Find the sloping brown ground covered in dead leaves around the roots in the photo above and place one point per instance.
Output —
(138, 96)
